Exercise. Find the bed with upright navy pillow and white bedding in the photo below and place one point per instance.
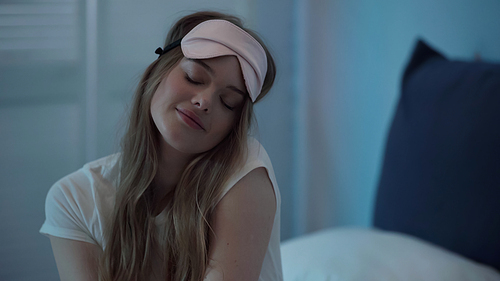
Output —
(437, 210)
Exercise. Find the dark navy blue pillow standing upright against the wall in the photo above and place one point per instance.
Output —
(440, 179)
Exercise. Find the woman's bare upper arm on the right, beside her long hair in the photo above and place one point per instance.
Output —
(242, 223)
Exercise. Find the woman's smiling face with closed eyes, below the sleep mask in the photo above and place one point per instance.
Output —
(198, 102)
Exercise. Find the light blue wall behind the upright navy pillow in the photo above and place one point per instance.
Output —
(350, 57)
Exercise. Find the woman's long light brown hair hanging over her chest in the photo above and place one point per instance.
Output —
(132, 242)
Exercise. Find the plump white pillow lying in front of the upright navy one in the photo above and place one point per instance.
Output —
(354, 254)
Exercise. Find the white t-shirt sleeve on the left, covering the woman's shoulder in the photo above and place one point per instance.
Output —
(68, 209)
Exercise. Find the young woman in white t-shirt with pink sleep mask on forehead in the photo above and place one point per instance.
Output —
(190, 196)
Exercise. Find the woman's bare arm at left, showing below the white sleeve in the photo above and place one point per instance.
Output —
(76, 260)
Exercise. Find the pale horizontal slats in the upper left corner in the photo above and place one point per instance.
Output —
(39, 30)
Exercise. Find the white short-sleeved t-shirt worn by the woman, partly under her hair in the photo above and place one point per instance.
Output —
(80, 205)
